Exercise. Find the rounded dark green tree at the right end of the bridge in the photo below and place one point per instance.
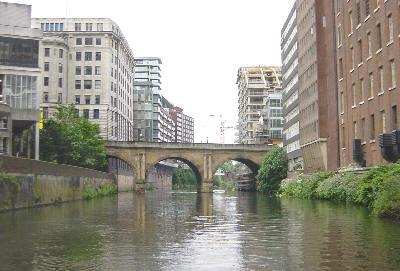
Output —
(273, 171)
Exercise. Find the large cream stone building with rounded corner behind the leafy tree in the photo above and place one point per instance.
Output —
(88, 62)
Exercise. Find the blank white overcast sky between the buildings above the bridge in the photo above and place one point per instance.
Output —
(201, 43)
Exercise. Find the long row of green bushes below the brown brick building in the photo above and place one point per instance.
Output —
(378, 189)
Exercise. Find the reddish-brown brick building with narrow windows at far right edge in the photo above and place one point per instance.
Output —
(367, 58)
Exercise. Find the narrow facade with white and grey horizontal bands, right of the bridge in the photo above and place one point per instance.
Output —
(290, 95)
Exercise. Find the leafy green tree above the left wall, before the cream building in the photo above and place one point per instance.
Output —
(69, 139)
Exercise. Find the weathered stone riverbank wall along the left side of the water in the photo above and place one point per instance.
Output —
(40, 183)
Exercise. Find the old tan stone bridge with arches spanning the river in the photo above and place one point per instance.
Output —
(203, 159)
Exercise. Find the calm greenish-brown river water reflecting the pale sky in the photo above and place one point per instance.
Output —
(190, 231)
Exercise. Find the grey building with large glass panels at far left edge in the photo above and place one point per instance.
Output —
(19, 86)
